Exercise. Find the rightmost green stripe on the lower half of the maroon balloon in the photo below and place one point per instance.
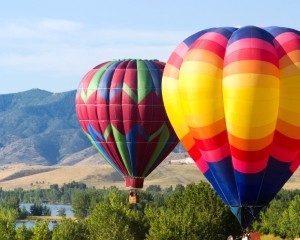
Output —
(163, 140)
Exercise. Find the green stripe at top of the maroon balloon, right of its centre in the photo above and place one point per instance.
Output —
(144, 84)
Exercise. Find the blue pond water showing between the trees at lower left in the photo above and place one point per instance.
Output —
(54, 212)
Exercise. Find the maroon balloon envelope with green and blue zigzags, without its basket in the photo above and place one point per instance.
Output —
(120, 109)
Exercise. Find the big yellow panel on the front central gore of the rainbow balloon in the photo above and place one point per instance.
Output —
(251, 104)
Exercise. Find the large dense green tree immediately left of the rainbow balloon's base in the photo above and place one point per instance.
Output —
(195, 213)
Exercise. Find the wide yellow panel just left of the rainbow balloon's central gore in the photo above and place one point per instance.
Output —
(200, 87)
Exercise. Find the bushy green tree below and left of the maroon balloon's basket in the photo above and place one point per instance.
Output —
(114, 219)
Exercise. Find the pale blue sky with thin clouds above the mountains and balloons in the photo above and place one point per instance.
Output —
(51, 44)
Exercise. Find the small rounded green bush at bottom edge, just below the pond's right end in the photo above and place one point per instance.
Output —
(71, 230)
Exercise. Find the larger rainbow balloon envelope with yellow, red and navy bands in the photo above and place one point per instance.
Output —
(233, 98)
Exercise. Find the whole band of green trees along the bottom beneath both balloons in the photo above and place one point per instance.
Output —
(191, 212)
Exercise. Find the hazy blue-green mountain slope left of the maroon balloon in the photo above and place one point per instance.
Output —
(40, 127)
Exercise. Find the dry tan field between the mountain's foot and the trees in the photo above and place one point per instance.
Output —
(101, 175)
